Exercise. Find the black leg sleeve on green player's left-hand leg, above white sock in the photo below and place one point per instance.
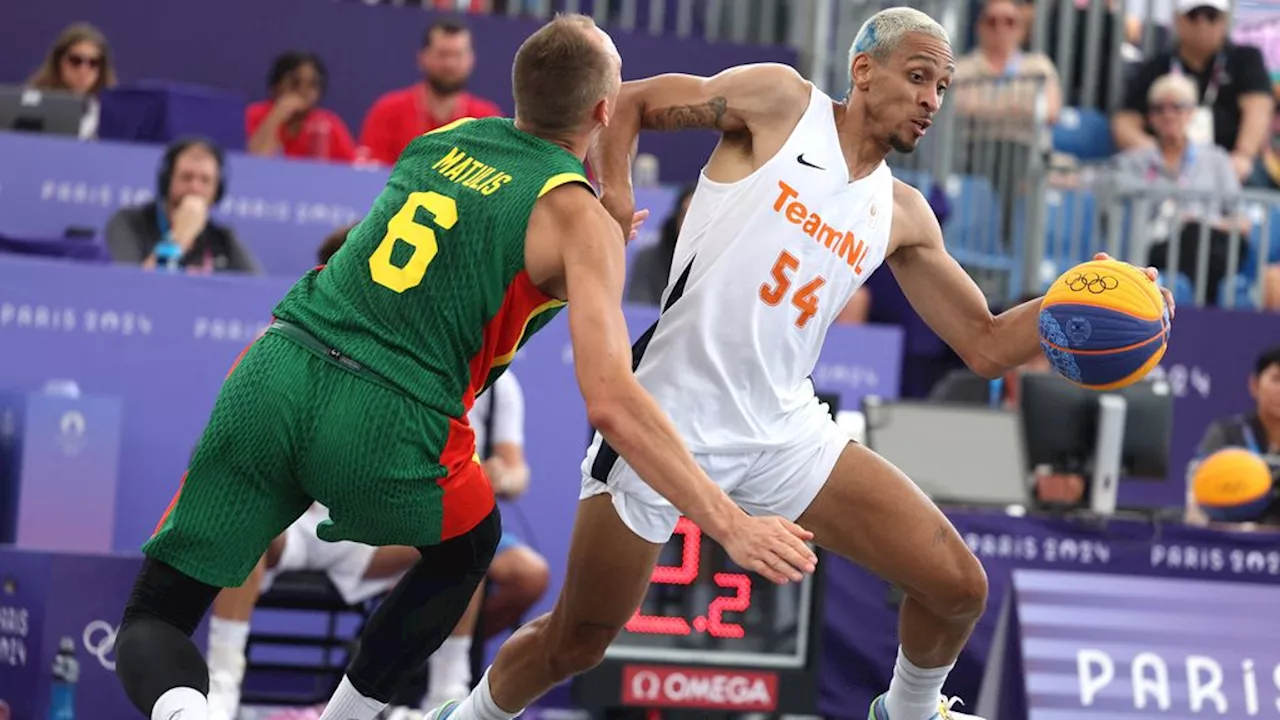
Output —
(154, 653)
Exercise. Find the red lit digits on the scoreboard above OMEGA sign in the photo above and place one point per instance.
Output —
(685, 575)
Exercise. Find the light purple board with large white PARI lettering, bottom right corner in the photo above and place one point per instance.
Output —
(1087, 646)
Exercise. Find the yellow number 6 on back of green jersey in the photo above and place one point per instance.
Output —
(405, 227)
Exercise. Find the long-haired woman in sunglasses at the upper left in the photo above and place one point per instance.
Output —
(80, 62)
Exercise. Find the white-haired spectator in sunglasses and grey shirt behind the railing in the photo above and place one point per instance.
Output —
(1177, 162)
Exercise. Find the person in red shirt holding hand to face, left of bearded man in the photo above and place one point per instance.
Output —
(292, 122)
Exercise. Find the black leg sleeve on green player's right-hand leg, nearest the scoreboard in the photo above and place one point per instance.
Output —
(423, 610)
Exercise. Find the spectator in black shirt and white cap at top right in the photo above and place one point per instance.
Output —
(1235, 101)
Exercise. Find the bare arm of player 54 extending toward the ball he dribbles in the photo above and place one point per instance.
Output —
(948, 299)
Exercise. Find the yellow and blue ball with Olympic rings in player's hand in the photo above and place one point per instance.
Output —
(1104, 325)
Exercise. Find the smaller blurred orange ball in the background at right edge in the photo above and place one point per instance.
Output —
(1233, 486)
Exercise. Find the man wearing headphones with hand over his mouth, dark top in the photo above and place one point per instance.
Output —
(175, 231)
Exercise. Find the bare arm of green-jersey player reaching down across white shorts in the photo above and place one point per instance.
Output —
(592, 249)
